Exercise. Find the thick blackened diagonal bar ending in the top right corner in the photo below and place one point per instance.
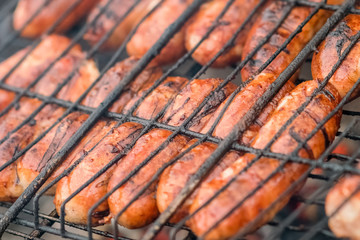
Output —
(246, 121)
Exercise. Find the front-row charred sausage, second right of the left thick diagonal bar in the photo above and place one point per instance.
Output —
(184, 103)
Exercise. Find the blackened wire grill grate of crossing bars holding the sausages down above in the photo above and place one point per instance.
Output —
(43, 223)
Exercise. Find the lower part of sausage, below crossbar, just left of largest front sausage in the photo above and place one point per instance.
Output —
(175, 177)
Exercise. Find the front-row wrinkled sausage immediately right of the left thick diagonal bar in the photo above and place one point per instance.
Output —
(164, 91)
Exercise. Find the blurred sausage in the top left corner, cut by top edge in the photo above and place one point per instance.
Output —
(49, 14)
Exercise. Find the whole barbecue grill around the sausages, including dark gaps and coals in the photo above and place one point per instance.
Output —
(33, 221)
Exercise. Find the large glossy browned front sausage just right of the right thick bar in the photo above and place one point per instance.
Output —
(246, 182)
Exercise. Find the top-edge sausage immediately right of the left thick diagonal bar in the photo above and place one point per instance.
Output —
(232, 20)
